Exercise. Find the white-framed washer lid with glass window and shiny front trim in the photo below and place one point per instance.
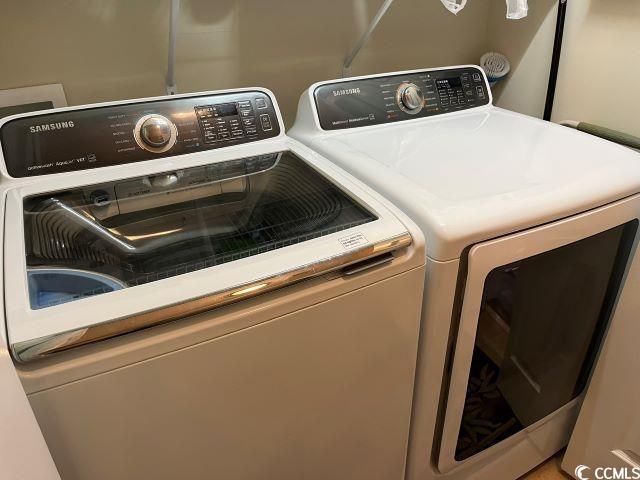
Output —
(91, 261)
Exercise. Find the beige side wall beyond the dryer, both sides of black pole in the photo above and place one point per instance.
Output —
(599, 68)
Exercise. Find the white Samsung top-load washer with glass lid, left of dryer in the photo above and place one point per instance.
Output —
(189, 293)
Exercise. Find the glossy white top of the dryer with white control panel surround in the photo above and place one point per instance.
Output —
(470, 173)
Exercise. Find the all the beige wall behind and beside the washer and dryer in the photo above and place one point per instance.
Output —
(114, 49)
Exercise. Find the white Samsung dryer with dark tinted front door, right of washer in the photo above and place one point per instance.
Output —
(530, 231)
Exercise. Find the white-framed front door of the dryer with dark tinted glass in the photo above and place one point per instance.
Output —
(535, 308)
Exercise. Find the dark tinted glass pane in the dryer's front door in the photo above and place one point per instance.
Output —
(540, 325)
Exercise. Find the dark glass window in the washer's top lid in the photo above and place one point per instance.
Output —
(100, 238)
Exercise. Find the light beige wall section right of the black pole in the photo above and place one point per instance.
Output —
(600, 66)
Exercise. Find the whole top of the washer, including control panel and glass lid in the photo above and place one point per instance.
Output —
(170, 206)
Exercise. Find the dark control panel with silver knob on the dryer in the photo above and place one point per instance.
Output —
(392, 98)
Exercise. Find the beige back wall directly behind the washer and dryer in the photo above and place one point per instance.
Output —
(114, 49)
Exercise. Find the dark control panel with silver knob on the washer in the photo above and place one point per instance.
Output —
(132, 132)
